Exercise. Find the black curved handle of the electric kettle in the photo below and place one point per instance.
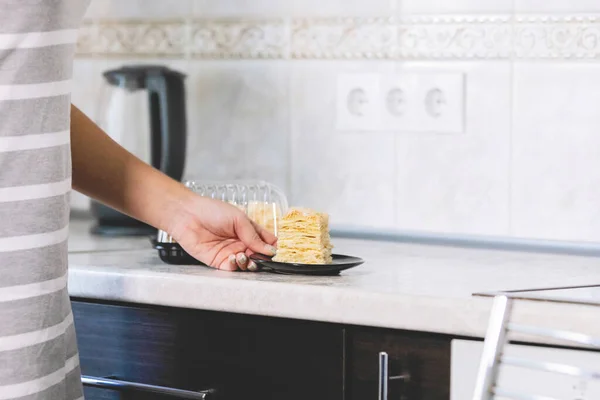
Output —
(167, 122)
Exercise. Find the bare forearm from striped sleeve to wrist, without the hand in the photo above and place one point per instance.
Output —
(103, 170)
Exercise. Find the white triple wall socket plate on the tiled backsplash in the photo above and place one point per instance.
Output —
(411, 101)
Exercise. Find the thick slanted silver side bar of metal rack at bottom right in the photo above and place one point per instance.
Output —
(492, 348)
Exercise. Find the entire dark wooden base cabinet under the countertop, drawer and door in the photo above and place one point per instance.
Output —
(253, 357)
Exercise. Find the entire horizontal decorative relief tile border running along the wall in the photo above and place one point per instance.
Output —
(460, 37)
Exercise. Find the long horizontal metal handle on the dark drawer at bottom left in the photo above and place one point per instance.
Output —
(119, 385)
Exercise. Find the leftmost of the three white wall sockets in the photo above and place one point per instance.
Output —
(358, 102)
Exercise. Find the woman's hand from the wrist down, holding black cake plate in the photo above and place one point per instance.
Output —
(219, 234)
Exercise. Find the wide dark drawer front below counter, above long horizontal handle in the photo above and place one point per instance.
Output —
(239, 356)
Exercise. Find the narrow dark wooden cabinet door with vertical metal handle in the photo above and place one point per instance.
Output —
(418, 365)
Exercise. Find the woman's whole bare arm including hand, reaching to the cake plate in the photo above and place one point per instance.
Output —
(214, 232)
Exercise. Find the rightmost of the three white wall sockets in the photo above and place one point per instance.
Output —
(440, 99)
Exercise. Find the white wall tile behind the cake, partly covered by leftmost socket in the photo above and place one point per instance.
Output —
(347, 174)
